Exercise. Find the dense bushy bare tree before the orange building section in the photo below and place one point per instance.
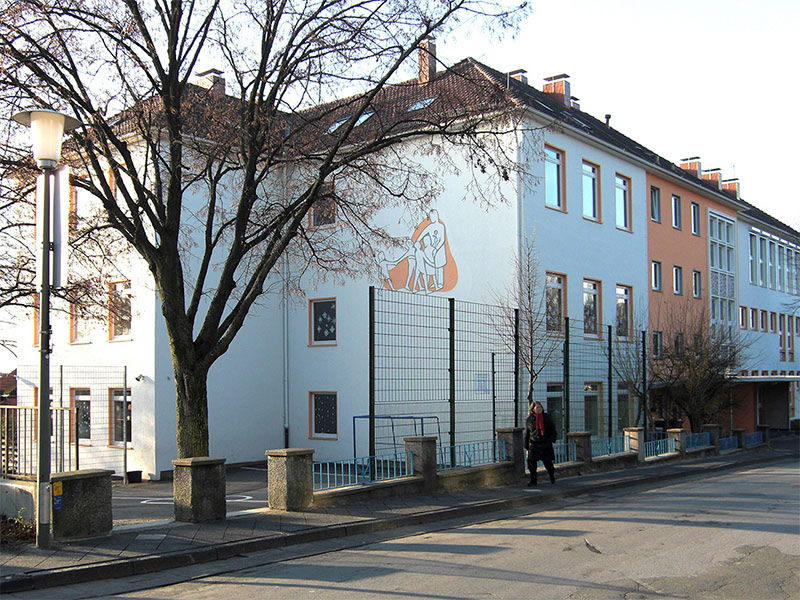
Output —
(696, 365)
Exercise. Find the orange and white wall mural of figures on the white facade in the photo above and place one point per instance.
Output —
(426, 265)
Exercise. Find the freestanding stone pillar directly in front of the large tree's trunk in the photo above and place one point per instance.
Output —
(199, 489)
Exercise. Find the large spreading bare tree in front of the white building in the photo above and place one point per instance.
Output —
(210, 189)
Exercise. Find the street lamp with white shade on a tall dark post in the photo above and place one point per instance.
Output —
(47, 131)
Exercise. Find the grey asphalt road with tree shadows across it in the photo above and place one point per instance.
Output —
(731, 536)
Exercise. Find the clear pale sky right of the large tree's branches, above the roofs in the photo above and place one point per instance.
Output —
(718, 79)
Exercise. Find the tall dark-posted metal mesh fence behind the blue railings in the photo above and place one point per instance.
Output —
(447, 368)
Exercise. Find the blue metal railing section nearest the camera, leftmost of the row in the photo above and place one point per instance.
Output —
(365, 469)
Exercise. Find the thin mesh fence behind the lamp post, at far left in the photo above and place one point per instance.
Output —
(90, 420)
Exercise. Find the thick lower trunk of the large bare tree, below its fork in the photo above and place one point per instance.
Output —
(192, 411)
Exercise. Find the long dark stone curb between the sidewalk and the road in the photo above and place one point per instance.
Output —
(170, 560)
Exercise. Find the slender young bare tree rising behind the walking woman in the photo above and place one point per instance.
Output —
(530, 320)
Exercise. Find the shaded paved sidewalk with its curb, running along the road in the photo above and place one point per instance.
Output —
(134, 550)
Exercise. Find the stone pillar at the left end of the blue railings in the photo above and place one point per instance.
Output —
(290, 484)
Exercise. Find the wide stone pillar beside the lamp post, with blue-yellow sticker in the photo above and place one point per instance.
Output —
(81, 504)
